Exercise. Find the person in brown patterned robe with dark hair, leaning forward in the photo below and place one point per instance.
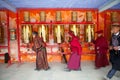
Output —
(41, 55)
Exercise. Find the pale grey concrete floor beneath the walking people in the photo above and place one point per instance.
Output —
(26, 72)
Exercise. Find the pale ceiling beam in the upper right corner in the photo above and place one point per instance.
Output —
(108, 5)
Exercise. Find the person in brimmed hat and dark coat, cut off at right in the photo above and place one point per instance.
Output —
(114, 51)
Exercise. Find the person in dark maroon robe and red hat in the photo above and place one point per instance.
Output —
(101, 47)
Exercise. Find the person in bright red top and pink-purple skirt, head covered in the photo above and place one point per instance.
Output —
(76, 50)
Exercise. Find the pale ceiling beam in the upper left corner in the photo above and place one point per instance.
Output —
(7, 5)
